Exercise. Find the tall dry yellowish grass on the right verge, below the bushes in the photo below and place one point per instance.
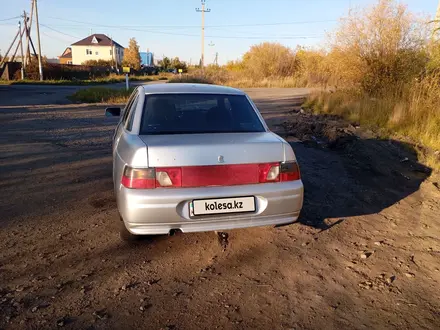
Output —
(411, 115)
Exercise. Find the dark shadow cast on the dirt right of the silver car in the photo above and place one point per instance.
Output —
(362, 177)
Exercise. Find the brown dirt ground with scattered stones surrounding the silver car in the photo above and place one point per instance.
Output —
(365, 253)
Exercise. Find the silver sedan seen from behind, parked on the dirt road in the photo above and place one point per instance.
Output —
(190, 157)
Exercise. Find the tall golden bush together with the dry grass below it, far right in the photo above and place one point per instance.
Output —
(384, 69)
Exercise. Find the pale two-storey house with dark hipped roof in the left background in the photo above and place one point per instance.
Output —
(96, 47)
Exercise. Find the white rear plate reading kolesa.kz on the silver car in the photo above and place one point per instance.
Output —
(223, 205)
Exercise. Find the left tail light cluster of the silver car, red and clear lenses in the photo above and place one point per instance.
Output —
(149, 178)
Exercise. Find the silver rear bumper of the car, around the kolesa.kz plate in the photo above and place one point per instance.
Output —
(158, 211)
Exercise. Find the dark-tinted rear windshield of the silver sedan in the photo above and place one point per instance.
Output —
(198, 113)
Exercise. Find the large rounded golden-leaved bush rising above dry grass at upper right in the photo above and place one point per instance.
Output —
(379, 48)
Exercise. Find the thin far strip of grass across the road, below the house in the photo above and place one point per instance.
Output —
(99, 81)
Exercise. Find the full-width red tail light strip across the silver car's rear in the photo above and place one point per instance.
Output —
(205, 176)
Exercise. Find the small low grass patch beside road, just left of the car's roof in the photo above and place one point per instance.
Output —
(101, 95)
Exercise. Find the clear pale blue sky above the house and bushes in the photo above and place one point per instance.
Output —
(172, 27)
